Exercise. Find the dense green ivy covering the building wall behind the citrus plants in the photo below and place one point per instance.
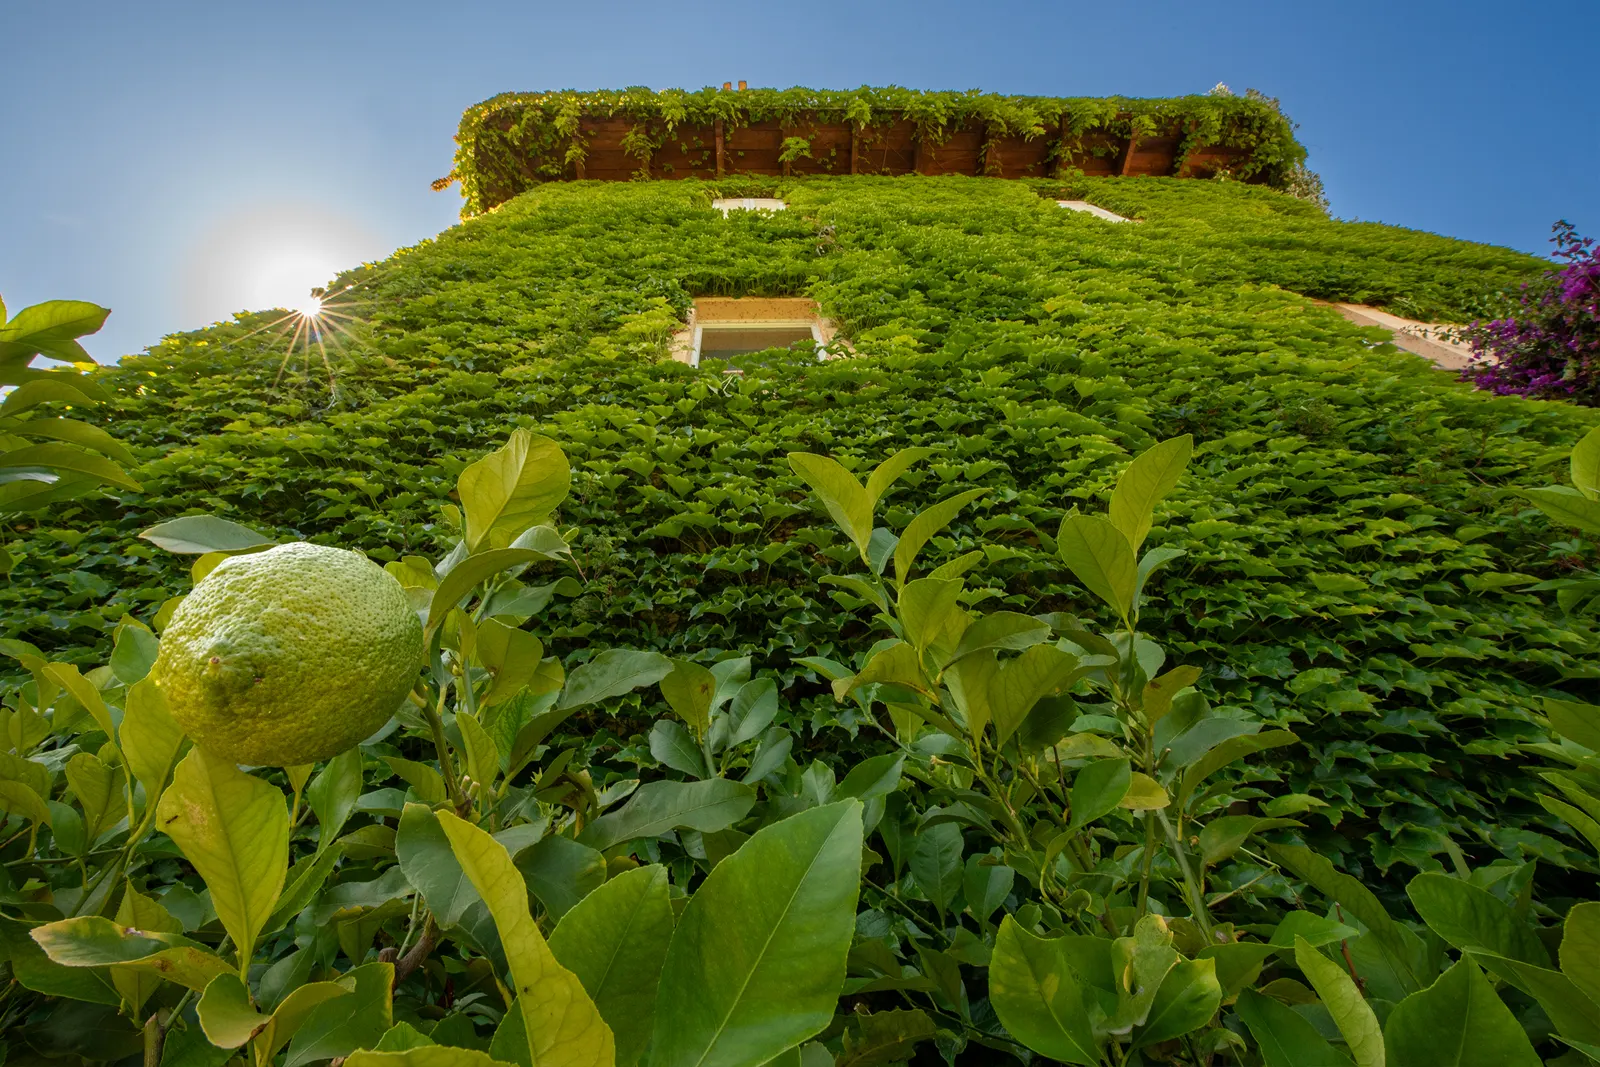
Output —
(1356, 567)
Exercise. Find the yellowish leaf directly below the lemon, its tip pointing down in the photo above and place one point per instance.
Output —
(236, 833)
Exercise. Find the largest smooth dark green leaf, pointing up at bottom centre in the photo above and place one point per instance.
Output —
(758, 961)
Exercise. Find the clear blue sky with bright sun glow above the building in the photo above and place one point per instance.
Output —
(177, 161)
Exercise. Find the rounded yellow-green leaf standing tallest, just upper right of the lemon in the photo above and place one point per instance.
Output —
(513, 489)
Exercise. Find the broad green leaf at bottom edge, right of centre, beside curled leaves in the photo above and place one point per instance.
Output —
(1038, 997)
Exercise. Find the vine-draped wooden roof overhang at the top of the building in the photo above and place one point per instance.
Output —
(514, 142)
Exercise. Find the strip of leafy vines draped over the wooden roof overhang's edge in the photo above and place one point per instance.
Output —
(516, 140)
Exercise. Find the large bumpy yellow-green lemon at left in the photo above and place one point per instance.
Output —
(289, 657)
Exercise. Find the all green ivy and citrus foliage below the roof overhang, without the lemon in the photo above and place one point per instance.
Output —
(674, 700)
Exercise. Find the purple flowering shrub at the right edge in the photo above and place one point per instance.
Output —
(1551, 345)
